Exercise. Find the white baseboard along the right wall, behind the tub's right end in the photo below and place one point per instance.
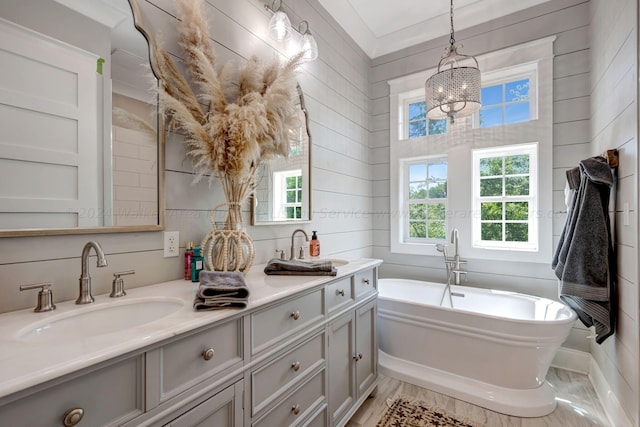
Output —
(583, 362)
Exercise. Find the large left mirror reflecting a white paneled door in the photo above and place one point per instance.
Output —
(82, 149)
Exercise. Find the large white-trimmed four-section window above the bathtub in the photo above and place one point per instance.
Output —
(506, 212)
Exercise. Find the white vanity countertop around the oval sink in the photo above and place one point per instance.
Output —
(25, 364)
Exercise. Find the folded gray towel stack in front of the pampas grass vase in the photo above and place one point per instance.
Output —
(221, 289)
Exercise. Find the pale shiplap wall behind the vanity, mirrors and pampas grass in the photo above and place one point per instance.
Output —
(336, 94)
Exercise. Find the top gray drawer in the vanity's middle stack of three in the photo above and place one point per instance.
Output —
(274, 323)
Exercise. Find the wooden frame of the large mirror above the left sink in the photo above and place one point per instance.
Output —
(137, 22)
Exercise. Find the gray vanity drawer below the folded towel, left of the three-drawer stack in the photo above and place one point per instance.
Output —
(190, 360)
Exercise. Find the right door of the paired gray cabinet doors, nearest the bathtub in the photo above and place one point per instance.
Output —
(366, 347)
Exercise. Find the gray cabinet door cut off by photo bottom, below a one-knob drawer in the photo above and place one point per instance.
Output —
(222, 410)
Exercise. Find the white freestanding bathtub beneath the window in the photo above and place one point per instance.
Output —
(492, 349)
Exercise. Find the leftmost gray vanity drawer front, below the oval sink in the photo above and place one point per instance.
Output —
(108, 396)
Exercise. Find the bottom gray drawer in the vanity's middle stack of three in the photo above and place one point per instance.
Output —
(300, 404)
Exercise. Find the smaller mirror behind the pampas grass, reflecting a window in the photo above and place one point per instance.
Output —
(283, 191)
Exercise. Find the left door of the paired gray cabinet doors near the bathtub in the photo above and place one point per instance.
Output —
(342, 393)
